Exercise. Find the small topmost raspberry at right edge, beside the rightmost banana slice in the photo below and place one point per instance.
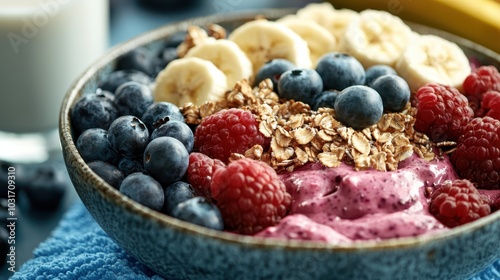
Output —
(481, 80)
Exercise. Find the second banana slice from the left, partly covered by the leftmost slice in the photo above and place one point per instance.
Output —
(227, 56)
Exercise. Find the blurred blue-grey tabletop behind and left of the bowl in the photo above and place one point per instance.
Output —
(128, 19)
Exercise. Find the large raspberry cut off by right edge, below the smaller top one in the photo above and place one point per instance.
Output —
(477, 156)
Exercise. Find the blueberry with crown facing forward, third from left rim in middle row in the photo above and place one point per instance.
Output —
(128, 136)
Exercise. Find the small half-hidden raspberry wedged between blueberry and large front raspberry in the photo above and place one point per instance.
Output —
(200, 171)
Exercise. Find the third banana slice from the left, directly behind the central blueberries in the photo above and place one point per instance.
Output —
(263, 40)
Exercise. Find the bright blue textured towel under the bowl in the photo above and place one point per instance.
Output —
(79, 249)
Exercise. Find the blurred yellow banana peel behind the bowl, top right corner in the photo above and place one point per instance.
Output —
(477, 20)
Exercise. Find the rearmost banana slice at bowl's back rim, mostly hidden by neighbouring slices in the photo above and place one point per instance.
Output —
(334, 20)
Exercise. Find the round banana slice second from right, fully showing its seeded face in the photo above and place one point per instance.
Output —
(376, 37)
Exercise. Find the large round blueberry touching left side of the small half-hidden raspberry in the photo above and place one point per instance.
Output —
(166, 159)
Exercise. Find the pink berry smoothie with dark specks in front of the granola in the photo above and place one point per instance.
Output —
(341, 205)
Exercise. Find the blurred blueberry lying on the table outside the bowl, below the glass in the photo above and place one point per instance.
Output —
(48, 186)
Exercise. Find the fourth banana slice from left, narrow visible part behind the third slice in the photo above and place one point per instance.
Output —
(318, 39)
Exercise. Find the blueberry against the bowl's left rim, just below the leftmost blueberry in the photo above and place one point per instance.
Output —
(93, 144)
